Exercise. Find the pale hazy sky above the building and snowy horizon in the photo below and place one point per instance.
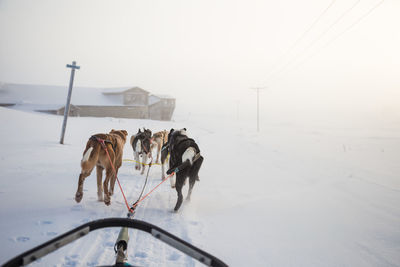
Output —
(310, 55)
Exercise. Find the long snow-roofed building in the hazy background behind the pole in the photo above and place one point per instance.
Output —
(89, 102)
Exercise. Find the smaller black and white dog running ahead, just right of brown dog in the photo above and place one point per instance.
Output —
(141, 147)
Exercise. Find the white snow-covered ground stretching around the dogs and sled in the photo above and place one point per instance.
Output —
(296, 194)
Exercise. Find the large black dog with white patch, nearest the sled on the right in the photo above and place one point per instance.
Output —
(185, 160)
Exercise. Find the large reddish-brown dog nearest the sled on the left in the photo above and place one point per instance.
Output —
(95, 155)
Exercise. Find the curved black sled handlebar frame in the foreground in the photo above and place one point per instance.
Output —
(64, 239)
